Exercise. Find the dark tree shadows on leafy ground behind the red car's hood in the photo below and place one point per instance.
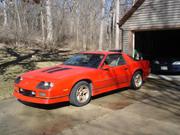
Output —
(26, 59)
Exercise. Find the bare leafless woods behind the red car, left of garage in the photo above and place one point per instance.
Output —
(74, 24)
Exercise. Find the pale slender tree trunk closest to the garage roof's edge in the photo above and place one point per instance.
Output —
(117, 46)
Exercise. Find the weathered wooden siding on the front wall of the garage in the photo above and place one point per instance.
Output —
(152, 14)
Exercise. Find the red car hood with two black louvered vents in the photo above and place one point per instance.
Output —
(56, 72)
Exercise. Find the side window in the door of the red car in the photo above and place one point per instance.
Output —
(114, 60)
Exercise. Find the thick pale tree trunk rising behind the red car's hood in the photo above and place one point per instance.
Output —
(49, 21)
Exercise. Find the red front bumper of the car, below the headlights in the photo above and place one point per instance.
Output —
(40, 100)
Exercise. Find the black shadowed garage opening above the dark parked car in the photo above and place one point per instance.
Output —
(158, 43)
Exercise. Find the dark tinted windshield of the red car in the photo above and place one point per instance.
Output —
(85, 60)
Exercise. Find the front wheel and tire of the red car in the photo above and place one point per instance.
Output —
(80, 94)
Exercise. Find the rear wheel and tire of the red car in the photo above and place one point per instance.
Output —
(137, 80)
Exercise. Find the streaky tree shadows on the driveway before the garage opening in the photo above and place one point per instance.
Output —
(160, 93)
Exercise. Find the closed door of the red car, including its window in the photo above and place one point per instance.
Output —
(116, 75)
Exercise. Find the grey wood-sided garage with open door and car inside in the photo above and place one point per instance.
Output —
(152, 28)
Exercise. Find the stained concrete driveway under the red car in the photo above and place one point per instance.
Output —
(154, 109)
